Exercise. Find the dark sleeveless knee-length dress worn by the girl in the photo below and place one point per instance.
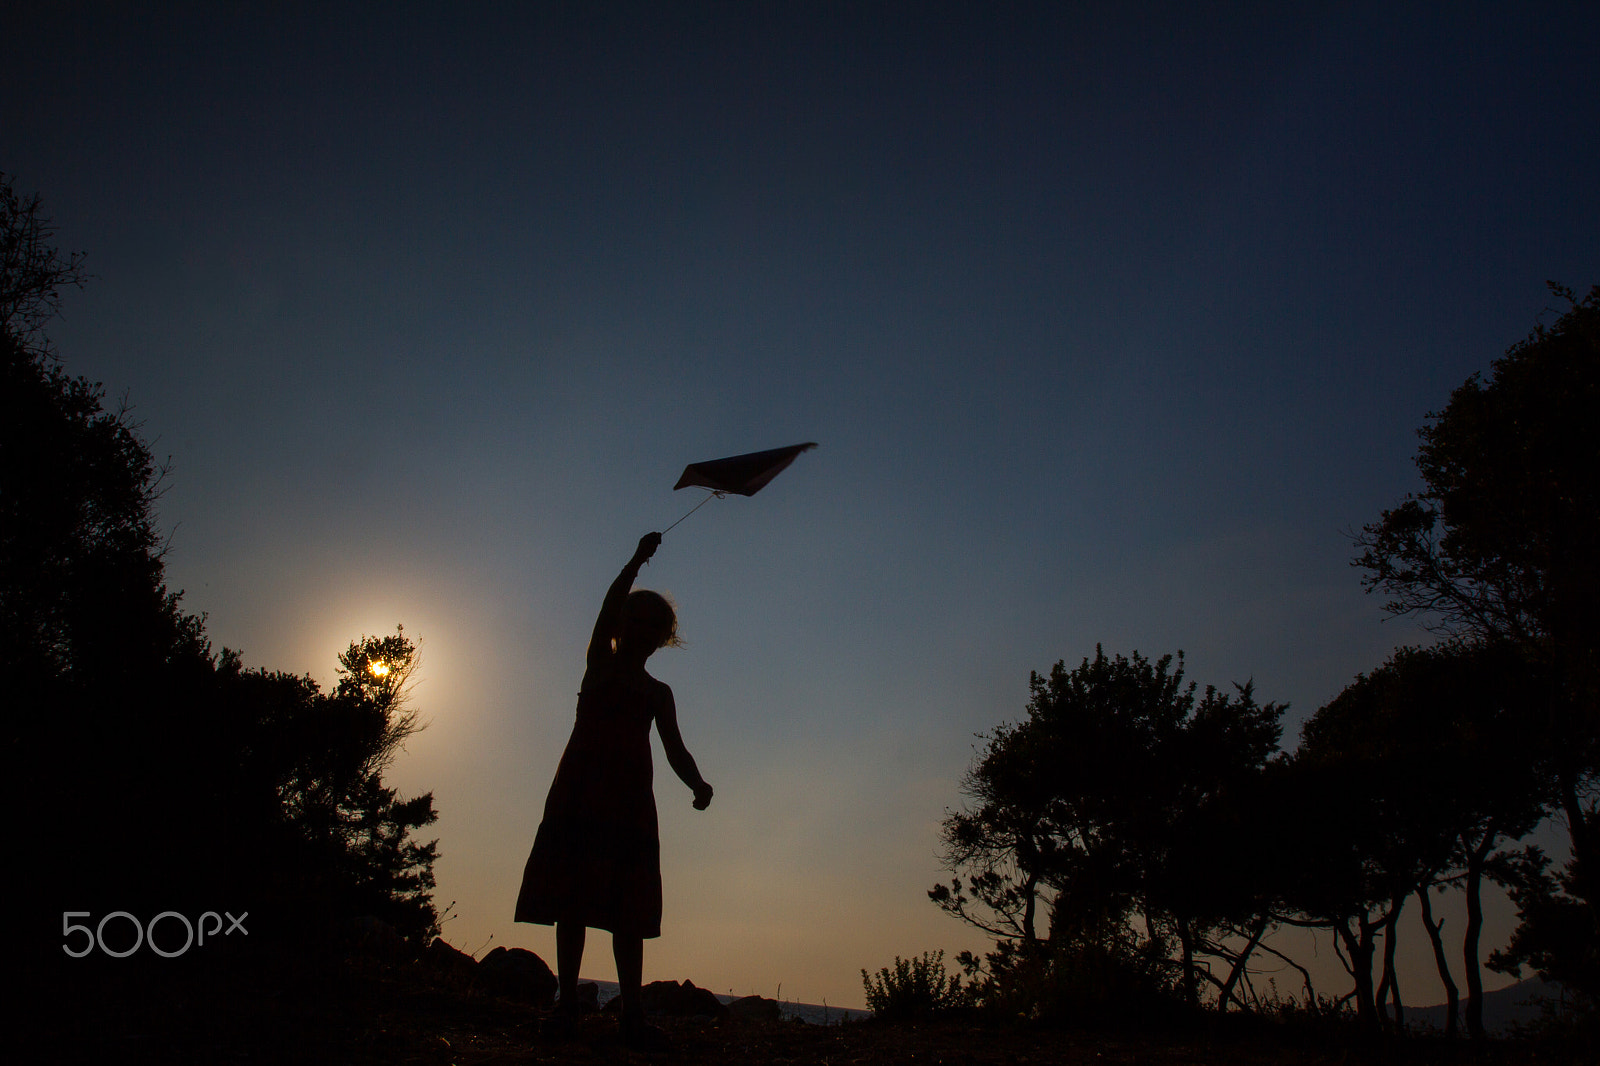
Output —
(598, 857)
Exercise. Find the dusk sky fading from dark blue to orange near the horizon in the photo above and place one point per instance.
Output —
(1111, 321)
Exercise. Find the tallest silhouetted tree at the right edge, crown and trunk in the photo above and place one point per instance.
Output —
(1498, 548)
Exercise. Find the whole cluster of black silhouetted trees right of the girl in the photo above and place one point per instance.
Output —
(1164, 841)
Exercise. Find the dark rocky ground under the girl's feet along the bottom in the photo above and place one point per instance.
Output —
(394, 1016)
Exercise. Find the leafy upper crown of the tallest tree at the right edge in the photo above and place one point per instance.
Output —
(1498, 547)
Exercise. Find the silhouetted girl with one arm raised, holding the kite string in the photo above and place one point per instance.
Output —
(598, 859)
